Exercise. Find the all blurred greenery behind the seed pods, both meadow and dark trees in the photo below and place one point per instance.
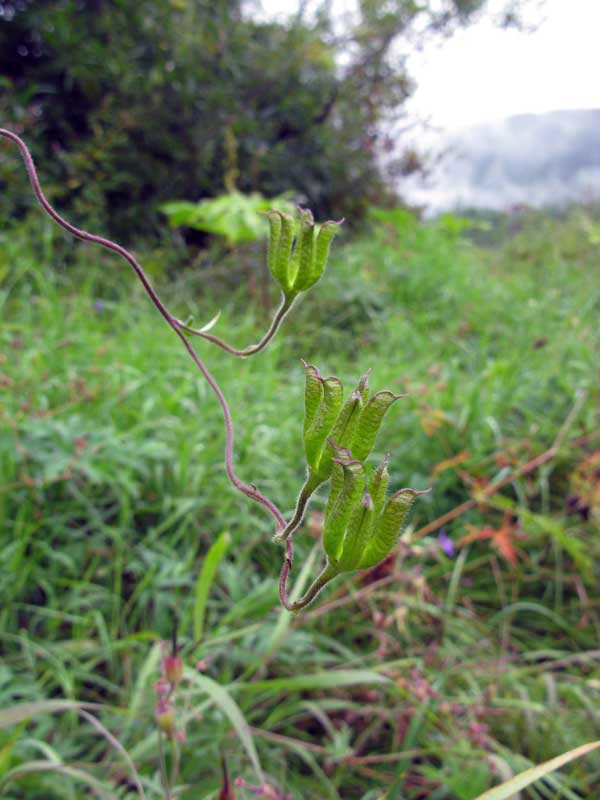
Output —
(469, 657)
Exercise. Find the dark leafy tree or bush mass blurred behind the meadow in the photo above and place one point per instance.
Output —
(198, 88)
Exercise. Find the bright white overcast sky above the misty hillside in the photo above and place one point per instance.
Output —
(484, 73)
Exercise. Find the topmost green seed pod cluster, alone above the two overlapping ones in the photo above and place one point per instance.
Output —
(298, 250)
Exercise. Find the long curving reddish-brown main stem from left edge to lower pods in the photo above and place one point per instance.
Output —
(250, 491)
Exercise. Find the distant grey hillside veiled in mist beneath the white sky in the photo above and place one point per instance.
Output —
(536, 159)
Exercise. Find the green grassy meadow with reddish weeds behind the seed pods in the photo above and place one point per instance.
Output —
(442, 678)
